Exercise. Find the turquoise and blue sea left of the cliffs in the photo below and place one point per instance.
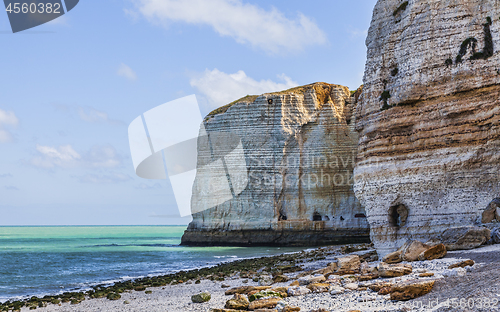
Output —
(50, 260)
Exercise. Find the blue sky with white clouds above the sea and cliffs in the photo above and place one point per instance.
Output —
(71, 87)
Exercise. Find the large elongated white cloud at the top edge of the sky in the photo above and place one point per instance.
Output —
(270, 31)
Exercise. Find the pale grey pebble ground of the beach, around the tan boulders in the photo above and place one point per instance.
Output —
(355, 295)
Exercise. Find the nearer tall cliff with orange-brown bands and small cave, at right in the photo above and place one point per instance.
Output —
(429, 121)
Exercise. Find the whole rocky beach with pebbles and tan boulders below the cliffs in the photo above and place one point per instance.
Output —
(337, 278)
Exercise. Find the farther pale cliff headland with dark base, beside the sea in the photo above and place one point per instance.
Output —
(300, 150)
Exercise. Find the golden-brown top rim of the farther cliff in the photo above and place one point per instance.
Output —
(322, 90)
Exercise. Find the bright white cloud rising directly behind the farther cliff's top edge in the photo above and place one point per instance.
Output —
(220, 88)
